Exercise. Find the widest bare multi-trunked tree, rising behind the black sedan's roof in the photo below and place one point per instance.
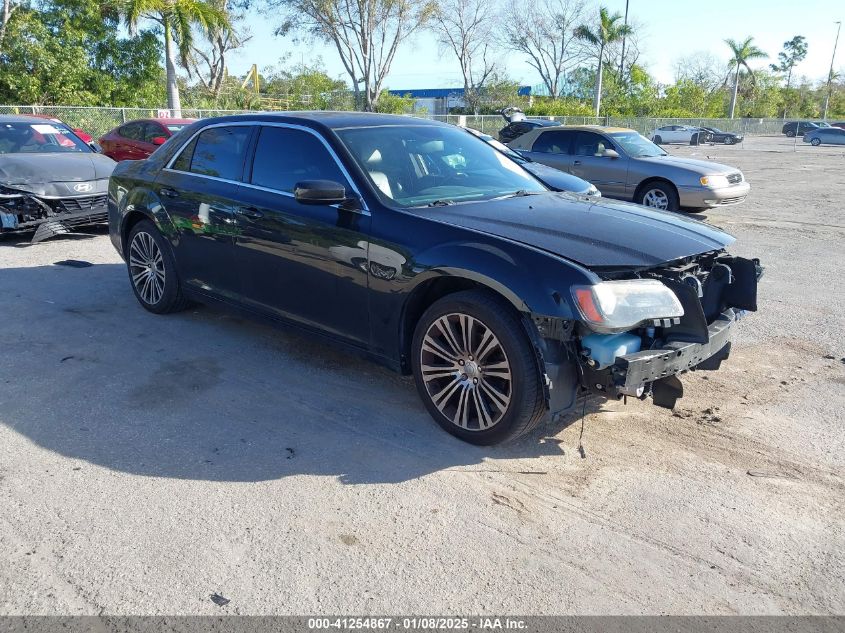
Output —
(365, 33)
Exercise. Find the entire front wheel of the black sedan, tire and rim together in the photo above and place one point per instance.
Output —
(525, 406)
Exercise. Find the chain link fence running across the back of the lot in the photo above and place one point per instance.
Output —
(96, 121)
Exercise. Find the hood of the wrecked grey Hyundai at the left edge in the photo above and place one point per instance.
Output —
(40, 173)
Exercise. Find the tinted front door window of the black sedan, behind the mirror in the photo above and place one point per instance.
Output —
(284, 157)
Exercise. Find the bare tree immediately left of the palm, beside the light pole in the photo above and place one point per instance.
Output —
(543, 31)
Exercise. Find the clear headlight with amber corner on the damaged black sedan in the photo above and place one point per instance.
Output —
(616, 306)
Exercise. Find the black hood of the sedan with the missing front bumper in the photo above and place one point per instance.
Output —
(601, 234)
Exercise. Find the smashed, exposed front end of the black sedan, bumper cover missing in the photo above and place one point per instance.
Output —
(687, 331)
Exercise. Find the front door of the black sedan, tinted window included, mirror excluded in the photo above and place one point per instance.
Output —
(305, 263)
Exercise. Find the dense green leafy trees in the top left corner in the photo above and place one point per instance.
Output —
(70, 53)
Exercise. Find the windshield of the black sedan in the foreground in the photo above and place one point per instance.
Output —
(423, 165)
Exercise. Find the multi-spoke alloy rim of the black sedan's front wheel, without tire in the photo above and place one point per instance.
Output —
(466, 371)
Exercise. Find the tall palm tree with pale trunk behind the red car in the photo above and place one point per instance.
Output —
(177, 19)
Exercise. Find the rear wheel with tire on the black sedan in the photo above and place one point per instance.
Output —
(163, 274)
